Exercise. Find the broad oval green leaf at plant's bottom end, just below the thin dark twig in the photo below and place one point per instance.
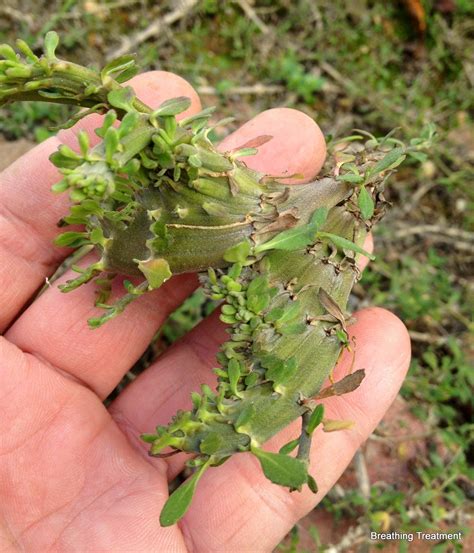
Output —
(282, 469)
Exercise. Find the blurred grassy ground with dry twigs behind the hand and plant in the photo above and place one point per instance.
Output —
(349, 64)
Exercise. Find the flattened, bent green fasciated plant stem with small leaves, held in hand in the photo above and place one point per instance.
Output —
(155, 198)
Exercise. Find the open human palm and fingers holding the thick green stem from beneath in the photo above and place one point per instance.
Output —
(74, 476)
